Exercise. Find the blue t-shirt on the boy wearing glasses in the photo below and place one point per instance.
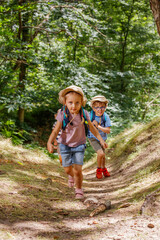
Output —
(107, 123)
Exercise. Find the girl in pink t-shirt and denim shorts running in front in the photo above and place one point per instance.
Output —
(74, 122)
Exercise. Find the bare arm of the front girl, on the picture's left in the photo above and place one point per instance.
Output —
(53, 136)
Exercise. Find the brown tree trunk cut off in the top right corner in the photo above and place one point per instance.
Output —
(155, 7)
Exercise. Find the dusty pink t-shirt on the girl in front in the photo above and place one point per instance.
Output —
(73, 135)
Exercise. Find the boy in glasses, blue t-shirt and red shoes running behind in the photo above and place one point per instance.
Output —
(101, 121)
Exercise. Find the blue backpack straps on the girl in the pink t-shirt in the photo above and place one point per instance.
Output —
(66, 118)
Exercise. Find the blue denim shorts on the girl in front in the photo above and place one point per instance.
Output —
(72, 155)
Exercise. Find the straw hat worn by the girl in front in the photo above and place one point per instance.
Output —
(72, 88)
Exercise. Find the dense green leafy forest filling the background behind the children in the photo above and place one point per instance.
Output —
(106, 47)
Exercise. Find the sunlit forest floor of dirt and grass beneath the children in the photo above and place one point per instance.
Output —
(36, 203)
